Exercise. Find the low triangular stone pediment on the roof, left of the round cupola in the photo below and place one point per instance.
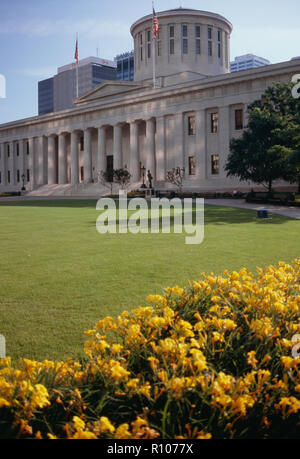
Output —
(109, 89)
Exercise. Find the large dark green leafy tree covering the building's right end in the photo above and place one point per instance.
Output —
(267, 150)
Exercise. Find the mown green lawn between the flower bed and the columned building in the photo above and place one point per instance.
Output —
(59, 276)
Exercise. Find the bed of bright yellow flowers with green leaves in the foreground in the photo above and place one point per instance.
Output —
(211, 360)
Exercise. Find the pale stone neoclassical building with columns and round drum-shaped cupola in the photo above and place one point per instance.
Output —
(186, 119)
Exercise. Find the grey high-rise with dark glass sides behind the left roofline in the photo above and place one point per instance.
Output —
(57, 93)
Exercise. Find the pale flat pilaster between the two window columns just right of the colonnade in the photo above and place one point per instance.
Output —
(201, 153)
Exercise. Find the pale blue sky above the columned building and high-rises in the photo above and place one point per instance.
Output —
(37, 36)
